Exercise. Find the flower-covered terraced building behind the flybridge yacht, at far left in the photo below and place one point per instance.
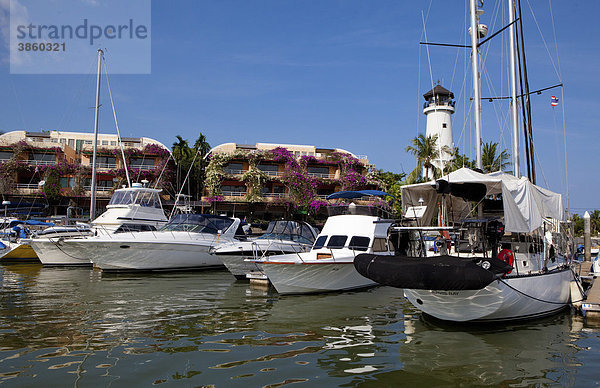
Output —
(55, 167)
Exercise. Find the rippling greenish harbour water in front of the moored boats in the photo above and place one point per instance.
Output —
(79, 327)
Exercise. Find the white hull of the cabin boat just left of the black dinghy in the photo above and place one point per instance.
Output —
(303, 278)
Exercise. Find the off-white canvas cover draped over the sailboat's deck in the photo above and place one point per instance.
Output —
(525, 205)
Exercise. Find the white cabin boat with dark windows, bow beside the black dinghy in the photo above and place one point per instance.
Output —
(328, 266)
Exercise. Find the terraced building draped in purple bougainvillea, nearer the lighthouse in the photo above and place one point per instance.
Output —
(267, 181)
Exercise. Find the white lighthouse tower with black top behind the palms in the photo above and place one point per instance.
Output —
(439, 107)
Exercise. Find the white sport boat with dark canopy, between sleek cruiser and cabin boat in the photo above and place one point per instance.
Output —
(282, 237)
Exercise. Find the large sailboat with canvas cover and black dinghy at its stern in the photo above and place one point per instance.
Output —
(500, 247)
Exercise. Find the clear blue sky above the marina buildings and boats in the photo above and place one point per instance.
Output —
(347, 74)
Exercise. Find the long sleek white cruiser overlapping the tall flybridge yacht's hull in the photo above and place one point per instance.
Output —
(182, 244)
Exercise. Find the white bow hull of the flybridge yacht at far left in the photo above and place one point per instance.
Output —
(58, 252)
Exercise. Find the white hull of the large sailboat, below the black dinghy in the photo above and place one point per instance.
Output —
(510, 299)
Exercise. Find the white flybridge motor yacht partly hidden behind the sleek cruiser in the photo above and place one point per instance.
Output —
(135, 208)
